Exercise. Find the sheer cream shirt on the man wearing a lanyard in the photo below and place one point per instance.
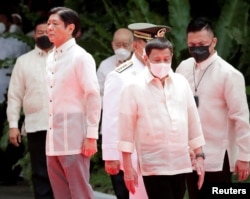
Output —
(223, 109)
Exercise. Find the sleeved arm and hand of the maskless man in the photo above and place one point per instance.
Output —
(89, 83)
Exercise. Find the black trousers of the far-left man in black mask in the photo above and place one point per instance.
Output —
(40, 179)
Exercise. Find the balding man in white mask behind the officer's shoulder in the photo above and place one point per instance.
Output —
(122, 46)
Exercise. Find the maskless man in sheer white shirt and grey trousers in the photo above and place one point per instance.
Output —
(74, 108)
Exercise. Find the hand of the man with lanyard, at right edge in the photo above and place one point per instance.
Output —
(242, 170)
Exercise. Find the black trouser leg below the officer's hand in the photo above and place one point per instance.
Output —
(119, 186)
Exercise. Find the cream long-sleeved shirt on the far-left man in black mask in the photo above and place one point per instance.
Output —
(27, 90)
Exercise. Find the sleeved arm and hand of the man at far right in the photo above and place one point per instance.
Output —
(239, 113)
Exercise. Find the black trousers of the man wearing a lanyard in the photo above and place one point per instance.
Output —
(224, 176)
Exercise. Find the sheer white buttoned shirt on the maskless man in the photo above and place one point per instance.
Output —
(74, 99)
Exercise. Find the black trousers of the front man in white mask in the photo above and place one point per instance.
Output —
(165, 186)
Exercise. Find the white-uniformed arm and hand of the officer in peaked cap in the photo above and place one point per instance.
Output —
(111, 98)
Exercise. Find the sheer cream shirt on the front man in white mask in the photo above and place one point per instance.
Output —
(161, 122)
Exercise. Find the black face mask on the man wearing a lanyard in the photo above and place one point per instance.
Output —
(199, 53)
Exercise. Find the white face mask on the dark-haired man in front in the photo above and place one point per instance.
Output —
(160, 70)
